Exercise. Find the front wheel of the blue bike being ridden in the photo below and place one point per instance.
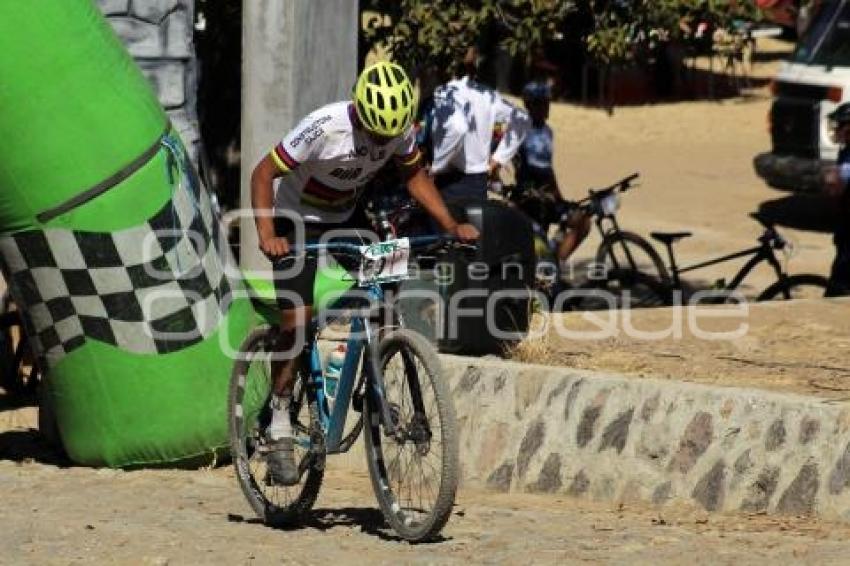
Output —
(415, 471)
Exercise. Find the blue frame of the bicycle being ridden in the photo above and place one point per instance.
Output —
(360, 342)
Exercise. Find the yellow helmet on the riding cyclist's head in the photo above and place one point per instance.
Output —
(384, 99)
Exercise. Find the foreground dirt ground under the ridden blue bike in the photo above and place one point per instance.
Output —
(54, 515)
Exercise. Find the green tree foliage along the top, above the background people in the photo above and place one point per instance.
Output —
(439, 31)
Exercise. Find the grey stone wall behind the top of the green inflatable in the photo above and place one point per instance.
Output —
(159, 35)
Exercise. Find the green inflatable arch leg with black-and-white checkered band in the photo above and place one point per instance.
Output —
(110, 246)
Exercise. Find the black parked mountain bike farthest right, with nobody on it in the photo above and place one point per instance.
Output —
(801, 285)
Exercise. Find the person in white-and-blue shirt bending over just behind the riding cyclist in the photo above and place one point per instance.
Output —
(464, 115)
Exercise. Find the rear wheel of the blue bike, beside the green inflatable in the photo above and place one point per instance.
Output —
(250, 382)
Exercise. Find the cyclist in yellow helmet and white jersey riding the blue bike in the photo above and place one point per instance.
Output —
(322, 164)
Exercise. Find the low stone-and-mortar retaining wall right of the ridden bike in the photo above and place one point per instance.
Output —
(527, 428)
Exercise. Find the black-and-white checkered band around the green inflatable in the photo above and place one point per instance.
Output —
(154, 288)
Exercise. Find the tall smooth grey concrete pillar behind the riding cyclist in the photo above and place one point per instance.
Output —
(297, 55)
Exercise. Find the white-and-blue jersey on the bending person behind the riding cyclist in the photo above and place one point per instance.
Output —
(465, 113)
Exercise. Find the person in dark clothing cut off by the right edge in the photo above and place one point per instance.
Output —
(837, 181)
